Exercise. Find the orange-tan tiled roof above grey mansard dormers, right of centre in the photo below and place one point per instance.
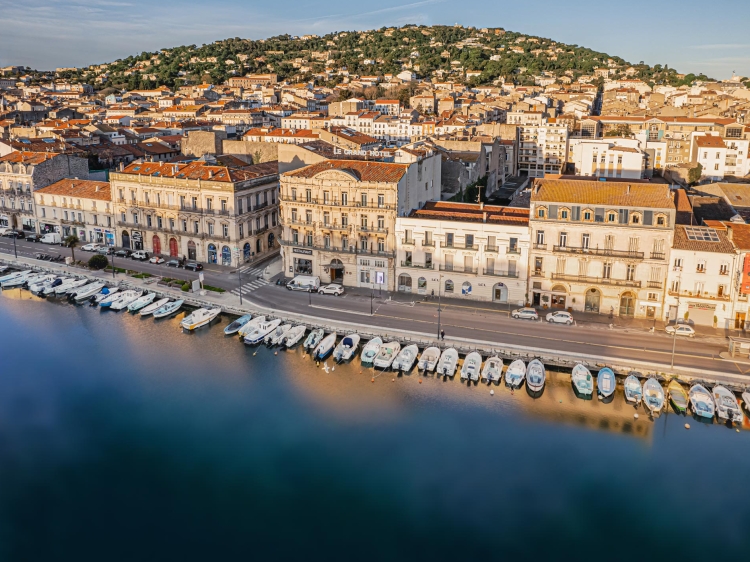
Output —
(620, 194)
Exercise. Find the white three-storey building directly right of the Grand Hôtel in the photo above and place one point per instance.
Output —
(467, 250)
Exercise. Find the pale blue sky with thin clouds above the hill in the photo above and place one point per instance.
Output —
(709, 36)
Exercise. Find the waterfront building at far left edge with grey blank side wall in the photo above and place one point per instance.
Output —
(22, 173)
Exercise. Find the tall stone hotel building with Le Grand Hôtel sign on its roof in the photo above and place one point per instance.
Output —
(339, 217)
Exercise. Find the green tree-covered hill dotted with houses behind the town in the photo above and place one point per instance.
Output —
(436, 52)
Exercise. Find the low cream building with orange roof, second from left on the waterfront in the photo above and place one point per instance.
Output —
(76, 207)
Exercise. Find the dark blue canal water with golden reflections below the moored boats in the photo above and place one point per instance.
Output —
(122, 438)
